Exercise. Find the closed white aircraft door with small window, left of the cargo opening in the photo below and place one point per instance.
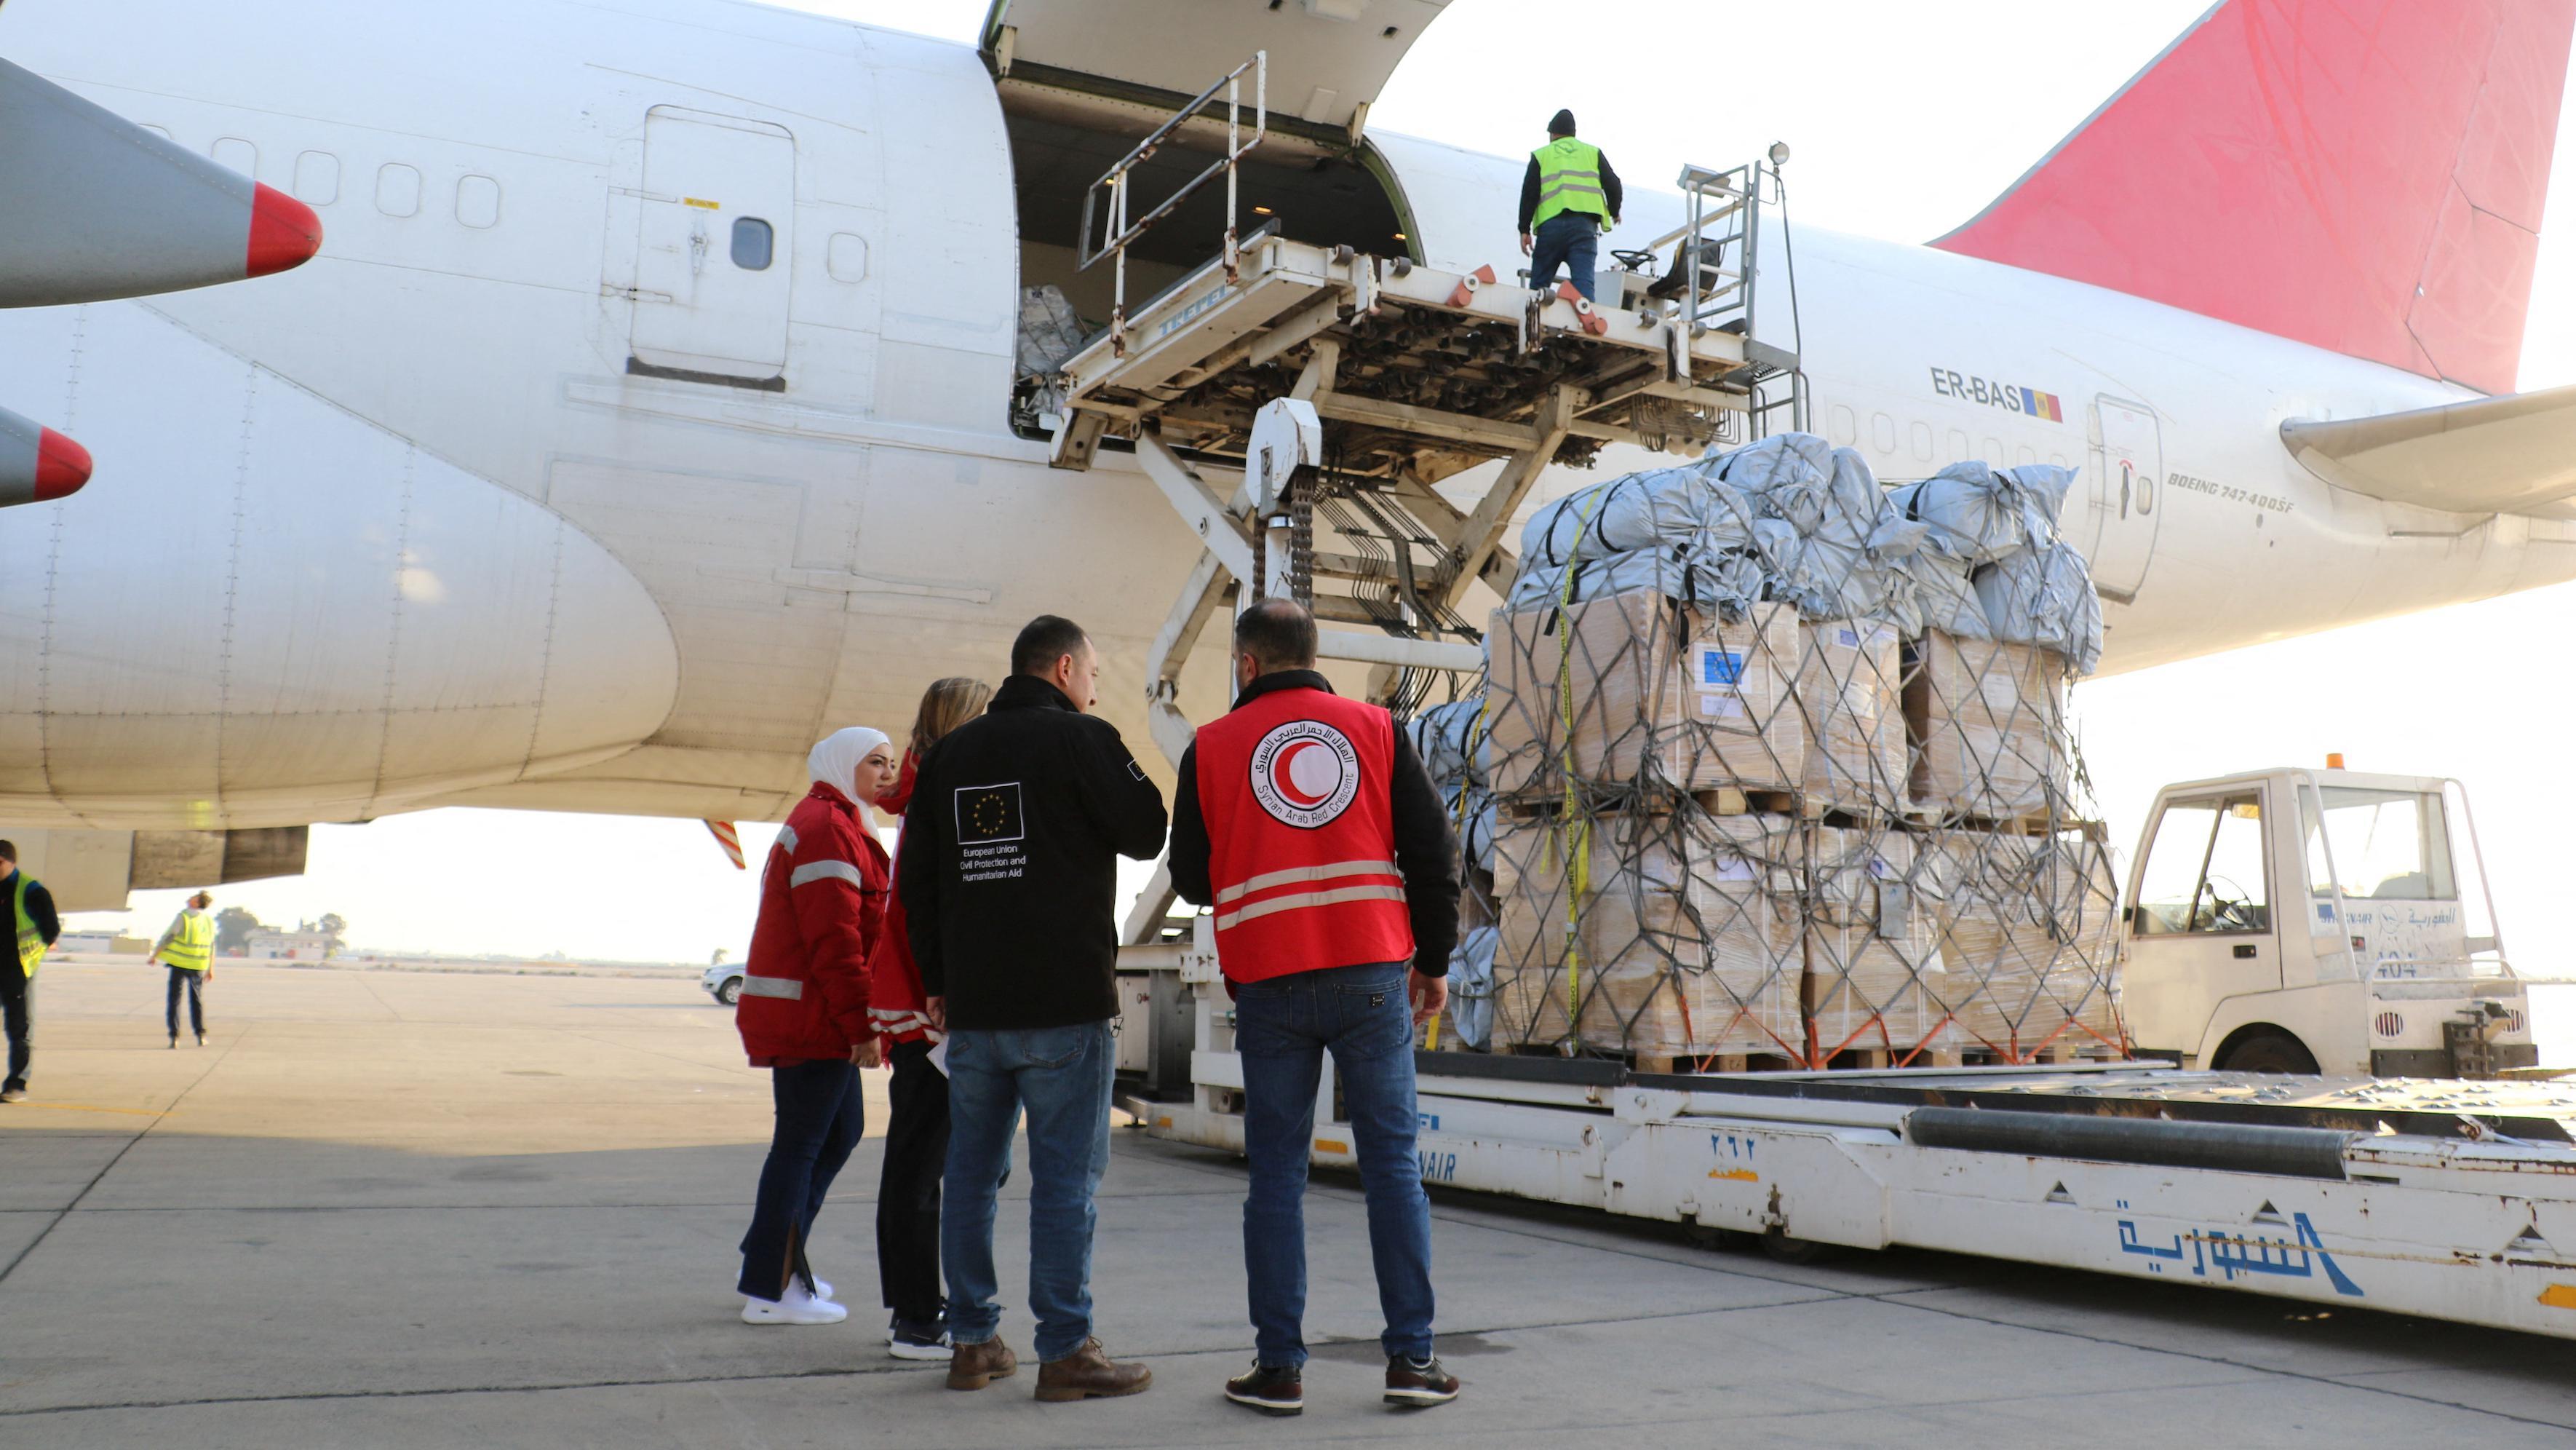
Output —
(715, 249)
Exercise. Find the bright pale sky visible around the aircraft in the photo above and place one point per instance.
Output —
(1905, 120)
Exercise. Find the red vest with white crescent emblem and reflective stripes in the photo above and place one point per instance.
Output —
(1302, 836)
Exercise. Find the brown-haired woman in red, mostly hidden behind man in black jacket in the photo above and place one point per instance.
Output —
(908, 1191)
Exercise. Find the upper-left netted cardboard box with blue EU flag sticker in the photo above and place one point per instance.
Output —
(1655, 694)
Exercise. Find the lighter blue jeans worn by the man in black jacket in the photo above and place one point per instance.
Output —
(1063, 1075)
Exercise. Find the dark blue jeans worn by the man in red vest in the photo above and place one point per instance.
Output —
(1282, 1031)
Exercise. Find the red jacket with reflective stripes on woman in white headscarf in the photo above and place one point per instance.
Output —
(823, 908)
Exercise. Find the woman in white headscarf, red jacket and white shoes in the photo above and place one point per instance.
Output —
(805, 1013)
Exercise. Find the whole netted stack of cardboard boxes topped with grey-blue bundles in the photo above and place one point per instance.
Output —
(1774, 769)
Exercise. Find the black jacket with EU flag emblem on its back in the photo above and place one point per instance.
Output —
(1011, 862)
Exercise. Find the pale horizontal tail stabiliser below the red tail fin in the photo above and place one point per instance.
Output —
(2492, 455)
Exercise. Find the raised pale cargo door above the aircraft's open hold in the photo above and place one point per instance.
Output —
(1328, 58)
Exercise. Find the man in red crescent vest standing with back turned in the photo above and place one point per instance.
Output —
(1320, 841)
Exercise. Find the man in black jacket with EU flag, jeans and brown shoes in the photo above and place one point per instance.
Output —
(1009, 874)
